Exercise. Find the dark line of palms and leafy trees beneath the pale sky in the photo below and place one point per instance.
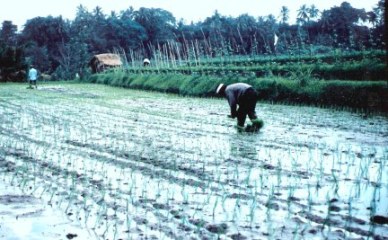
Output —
(62, 47)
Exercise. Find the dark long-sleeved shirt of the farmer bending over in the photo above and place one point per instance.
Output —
(234, 93)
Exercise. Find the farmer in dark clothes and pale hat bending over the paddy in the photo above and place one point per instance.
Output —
(245, 97)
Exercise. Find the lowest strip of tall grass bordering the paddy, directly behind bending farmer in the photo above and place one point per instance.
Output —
(365, 95)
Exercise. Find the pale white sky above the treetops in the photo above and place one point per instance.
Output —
(19, 11)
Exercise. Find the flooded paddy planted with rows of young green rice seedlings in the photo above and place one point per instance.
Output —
(129, 164)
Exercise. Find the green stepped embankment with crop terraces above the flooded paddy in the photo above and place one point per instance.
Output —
(356, 80)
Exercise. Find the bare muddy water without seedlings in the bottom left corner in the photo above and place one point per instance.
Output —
(23, 216)
